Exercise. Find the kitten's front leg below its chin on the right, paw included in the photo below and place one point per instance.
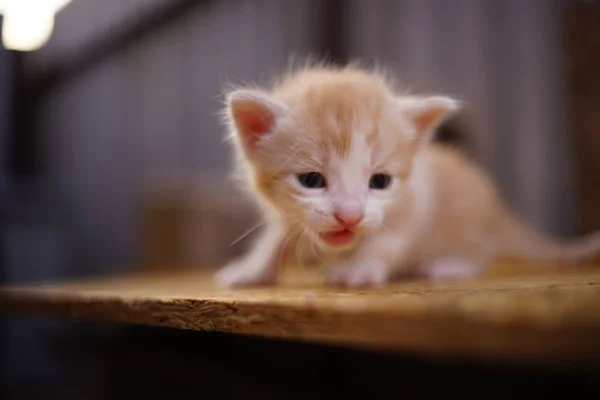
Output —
(375, 263)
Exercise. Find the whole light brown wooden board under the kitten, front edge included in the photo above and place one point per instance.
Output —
(515, 311)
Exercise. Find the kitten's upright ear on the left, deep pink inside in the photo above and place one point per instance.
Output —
(254, 114)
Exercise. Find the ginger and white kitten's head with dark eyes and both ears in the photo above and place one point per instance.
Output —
(332, 149)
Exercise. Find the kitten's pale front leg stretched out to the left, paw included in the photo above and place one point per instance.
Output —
(260, 266)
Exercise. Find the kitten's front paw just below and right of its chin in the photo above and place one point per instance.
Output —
(359, 274)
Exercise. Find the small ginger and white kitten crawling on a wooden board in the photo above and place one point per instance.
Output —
(344, 168)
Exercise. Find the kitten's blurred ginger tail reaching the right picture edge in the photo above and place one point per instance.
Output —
(519, 241)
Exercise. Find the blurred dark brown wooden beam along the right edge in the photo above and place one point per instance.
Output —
(583, 68)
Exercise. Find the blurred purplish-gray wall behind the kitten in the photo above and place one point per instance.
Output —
(149, 114)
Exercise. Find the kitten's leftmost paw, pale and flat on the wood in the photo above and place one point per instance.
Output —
(238, 274)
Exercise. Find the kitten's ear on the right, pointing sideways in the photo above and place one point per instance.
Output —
(427, 113)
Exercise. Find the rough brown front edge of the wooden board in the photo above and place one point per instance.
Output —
(437, 336)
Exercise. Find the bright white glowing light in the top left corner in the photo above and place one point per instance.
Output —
(28, 24)
